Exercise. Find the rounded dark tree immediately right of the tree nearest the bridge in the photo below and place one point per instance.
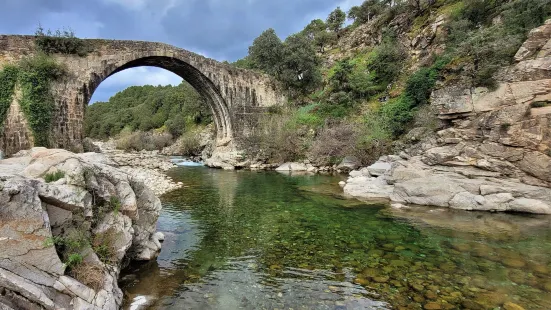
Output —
(300, 64)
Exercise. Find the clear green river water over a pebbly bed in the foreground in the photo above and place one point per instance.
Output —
(262, 240)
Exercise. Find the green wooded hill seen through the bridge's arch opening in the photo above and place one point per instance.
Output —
(144, 108)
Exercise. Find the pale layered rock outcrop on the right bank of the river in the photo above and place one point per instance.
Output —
(493, 155)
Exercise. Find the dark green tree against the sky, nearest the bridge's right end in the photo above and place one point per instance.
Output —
(266, 52)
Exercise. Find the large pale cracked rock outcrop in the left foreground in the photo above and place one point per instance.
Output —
(68, 224)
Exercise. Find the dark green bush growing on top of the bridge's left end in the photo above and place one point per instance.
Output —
(60, 41)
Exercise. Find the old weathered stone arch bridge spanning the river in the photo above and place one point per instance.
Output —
(235, 96)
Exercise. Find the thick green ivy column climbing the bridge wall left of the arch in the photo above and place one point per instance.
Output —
(36, 75)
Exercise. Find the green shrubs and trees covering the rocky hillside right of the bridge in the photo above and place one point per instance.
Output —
(348, 101)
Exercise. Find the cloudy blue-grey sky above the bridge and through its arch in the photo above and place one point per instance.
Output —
(219, 29)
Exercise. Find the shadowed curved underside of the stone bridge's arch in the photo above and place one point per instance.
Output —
(204, 86)
